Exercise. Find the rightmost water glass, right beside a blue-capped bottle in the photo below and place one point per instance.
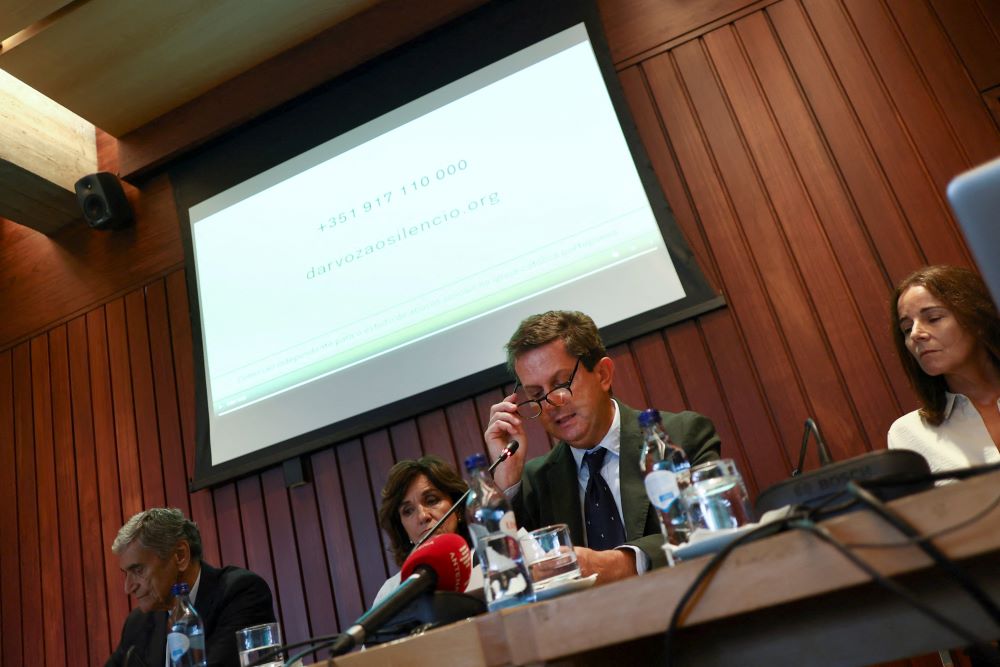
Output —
(716, 498)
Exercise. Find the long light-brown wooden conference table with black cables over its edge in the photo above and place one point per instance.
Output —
(788, 599)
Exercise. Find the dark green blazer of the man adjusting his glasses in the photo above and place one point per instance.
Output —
(550, 490)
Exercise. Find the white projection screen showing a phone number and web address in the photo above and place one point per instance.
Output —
(401, 255)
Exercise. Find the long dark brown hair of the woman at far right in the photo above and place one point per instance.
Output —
(963, 292)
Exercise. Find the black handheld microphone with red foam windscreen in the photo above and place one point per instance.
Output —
(443, 563)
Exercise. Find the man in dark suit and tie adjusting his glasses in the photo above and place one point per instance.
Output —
(564, 379)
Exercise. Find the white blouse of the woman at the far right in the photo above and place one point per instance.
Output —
(960, 441)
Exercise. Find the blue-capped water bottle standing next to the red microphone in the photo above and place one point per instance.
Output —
(494, 533)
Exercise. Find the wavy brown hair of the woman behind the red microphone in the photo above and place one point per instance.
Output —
(441, 475)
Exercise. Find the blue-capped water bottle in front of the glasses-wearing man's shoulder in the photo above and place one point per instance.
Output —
(664, 466)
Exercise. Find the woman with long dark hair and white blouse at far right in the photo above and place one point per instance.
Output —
(947, 335)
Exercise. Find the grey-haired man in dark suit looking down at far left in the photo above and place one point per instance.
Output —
(159, 548)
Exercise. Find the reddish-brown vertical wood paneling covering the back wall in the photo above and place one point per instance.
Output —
(803, 145)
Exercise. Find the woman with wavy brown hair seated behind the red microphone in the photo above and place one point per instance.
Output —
(416, 495)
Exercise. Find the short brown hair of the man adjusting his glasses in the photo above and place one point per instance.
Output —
(575, 329)
